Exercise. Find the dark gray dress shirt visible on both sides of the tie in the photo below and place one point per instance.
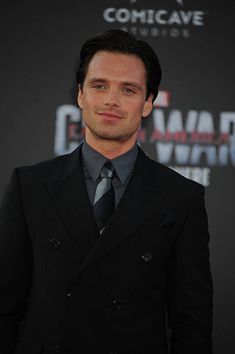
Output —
(93, 162)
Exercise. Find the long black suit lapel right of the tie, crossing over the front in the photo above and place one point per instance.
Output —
(141, 200)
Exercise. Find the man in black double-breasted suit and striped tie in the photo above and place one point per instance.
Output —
(93, 257)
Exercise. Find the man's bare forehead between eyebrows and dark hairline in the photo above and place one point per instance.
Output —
(117, 66)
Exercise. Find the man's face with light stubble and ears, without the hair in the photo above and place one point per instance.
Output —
(113, 98)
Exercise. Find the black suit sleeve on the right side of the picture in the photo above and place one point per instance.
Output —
(189, 300)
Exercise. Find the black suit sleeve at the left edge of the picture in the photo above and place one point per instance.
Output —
(15, 265)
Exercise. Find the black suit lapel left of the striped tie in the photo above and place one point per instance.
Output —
(68, 192)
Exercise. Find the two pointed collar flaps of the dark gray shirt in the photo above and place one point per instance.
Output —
(123, 164)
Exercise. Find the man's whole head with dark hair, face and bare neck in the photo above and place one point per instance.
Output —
(118, 81)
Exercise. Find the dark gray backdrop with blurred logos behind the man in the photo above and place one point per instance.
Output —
(191, 129)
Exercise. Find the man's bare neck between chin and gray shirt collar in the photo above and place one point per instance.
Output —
(110, 148)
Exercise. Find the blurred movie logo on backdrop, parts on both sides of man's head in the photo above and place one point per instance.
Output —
(190, 142)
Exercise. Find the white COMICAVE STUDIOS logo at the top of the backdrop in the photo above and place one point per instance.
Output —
(135, 18)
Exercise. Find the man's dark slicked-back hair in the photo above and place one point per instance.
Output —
(118, 41)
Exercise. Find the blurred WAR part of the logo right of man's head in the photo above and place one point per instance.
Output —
(191, 142)
